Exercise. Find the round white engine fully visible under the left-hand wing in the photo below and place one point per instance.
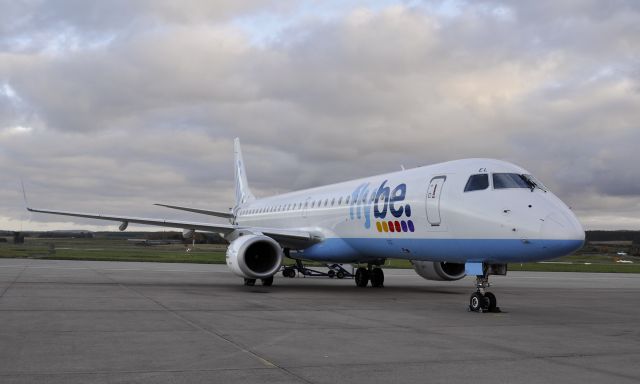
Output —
(254, 256)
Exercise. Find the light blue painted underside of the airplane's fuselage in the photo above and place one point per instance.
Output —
(449, 250)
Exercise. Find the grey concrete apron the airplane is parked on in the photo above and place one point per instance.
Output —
(109, 322)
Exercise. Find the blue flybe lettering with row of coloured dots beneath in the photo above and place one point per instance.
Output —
(385, 203)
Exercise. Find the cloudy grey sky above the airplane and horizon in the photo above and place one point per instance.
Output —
(111, 106)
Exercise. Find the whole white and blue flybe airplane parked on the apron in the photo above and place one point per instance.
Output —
(462, 217)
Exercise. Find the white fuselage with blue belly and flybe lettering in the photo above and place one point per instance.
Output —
(425, 214)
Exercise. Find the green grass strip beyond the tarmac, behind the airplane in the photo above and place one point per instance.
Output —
(122, 250)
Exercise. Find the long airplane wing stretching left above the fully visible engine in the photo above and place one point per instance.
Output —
(286, 237)
